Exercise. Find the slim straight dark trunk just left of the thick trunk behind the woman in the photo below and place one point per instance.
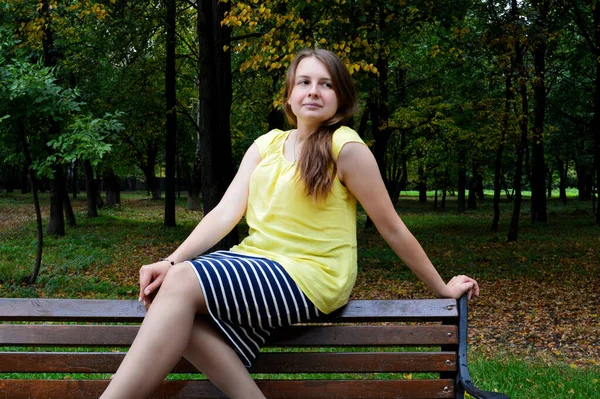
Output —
(171, 124)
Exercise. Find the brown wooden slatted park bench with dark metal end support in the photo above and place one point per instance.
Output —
(369, 333)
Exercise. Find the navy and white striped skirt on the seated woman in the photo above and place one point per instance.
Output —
(248, 297)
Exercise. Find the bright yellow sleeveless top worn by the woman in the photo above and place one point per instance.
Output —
(315, 242)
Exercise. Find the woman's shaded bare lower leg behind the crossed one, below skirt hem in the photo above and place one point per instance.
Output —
(215, 358)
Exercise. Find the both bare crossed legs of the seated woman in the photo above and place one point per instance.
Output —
(170, 328)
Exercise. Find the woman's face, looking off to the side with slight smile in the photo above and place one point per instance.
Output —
(313, 99)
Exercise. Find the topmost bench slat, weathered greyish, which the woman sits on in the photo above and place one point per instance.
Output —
(36, 309)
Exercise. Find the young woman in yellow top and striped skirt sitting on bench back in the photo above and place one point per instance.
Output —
(298, 190)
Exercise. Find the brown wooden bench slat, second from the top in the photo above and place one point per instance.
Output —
(117, 336)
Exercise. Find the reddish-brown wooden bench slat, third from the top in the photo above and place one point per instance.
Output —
(348, 362)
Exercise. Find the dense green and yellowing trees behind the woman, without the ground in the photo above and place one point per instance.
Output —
(455, 96)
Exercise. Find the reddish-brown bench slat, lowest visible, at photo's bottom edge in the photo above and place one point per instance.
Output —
(275, 389)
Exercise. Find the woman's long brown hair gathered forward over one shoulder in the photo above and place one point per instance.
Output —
(316, 165)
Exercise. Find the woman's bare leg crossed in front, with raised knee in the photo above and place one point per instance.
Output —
(162, 338)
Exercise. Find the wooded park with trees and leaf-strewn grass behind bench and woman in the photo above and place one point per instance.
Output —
(122, 122)
